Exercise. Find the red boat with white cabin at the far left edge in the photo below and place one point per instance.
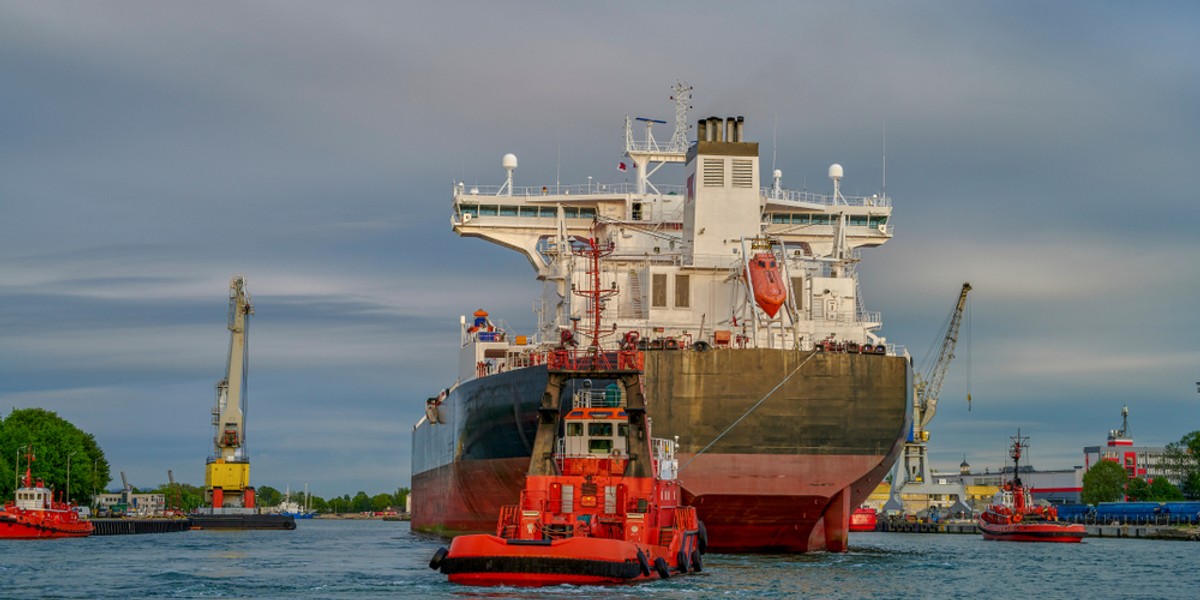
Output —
(35, 514)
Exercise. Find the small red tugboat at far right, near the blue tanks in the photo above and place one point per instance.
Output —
(1013, 517)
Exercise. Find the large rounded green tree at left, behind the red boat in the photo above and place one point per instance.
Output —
(58, 447)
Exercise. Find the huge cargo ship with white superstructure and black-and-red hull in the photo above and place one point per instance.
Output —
(788, 404)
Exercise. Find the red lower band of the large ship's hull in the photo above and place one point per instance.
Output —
(467, 496)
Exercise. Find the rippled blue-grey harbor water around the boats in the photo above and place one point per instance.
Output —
(358, 560)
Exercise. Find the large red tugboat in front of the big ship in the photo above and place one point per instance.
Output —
(602, 503)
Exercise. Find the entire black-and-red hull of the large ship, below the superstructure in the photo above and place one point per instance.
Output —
(782, 479)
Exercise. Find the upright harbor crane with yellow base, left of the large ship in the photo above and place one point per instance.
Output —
(227, 473)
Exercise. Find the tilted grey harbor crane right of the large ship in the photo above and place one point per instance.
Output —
(911, 473)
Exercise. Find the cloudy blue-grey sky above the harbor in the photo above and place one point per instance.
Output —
(1048, 153)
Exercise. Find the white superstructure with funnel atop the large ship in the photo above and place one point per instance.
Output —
(681, 250)
